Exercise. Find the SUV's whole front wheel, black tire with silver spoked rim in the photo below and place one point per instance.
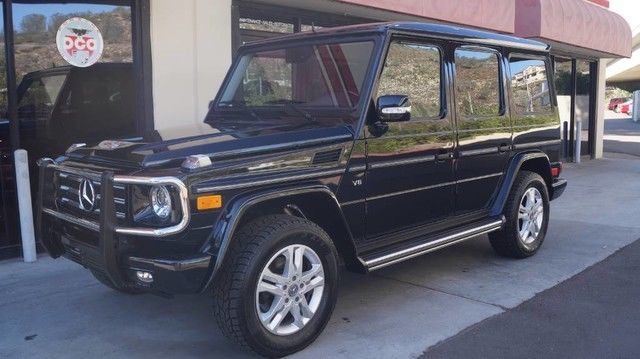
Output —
(278, 286)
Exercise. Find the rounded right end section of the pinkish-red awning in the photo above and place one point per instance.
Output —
(574, 26)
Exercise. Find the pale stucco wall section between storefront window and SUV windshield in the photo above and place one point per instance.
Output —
(191, 53)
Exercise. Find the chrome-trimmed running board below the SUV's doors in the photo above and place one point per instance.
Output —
(411, 249)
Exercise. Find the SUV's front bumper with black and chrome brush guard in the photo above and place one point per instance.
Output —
(108, 248)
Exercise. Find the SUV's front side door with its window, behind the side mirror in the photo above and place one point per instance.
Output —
(410, 181)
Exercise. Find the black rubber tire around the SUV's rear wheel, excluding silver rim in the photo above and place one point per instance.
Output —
(507, 241)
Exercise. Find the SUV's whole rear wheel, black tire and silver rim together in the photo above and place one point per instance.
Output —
(527, 217)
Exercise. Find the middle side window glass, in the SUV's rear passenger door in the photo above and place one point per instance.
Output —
(477, 82)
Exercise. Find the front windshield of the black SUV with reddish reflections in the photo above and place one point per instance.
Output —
(328, 75)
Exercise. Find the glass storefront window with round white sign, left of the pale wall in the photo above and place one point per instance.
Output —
(60, 99)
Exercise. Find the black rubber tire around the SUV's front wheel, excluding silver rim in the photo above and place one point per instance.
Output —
(234, 293)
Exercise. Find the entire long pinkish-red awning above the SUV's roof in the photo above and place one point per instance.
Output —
(574, 27)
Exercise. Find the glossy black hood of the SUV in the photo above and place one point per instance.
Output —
(171, 147)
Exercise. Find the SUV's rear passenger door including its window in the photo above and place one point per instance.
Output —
(484, 128)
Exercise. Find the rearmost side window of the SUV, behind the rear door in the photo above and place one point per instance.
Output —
(529, 86)
